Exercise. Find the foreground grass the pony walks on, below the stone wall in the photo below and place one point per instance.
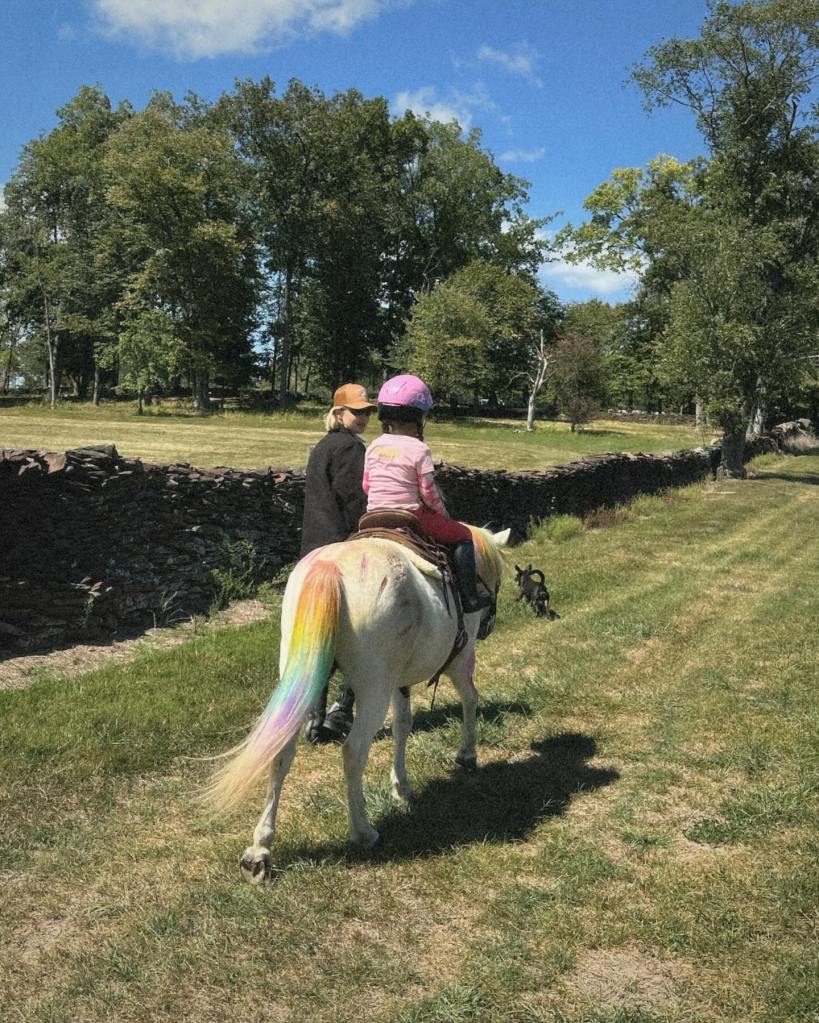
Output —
(639, 844)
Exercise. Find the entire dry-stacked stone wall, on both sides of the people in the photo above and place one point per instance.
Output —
(93, 545)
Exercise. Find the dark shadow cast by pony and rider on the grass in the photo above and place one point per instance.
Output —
(498, 803)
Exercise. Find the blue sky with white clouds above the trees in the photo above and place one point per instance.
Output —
(543, 79)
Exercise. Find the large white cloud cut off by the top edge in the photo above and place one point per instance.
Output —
(194, 29)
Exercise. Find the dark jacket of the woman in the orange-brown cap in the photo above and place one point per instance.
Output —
(335, 500)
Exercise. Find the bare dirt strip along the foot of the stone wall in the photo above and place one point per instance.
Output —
(20, 673)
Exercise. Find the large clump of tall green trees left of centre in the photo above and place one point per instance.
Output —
(283, 233)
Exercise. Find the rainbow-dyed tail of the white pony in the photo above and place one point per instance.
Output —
(310, 658)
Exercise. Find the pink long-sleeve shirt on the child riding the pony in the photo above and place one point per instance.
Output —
(399, 474)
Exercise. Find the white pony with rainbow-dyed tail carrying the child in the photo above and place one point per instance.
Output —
(381, 613)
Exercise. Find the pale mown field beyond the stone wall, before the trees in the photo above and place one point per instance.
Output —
(253, 440)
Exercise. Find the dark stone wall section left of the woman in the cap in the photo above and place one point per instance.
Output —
(93, 543)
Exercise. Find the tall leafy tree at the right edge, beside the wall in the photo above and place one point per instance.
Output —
(732, 242)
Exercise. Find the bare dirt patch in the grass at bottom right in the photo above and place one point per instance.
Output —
(627, 978)
